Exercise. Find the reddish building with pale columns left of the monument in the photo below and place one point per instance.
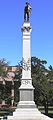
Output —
(9, 93)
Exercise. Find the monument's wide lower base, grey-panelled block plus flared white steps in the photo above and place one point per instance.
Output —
(26, 108)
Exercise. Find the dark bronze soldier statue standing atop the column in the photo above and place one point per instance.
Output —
(27, 11)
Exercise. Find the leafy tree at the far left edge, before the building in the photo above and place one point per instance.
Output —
(3, 74)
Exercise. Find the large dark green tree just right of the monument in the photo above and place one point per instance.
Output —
(40, 82)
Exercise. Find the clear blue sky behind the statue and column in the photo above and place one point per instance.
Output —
(11, 21)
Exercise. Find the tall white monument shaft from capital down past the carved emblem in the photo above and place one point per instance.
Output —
(26, 71)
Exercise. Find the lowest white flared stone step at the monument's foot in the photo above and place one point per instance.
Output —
(28, 114)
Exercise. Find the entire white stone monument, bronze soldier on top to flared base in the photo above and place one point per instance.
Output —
(26, 108)
